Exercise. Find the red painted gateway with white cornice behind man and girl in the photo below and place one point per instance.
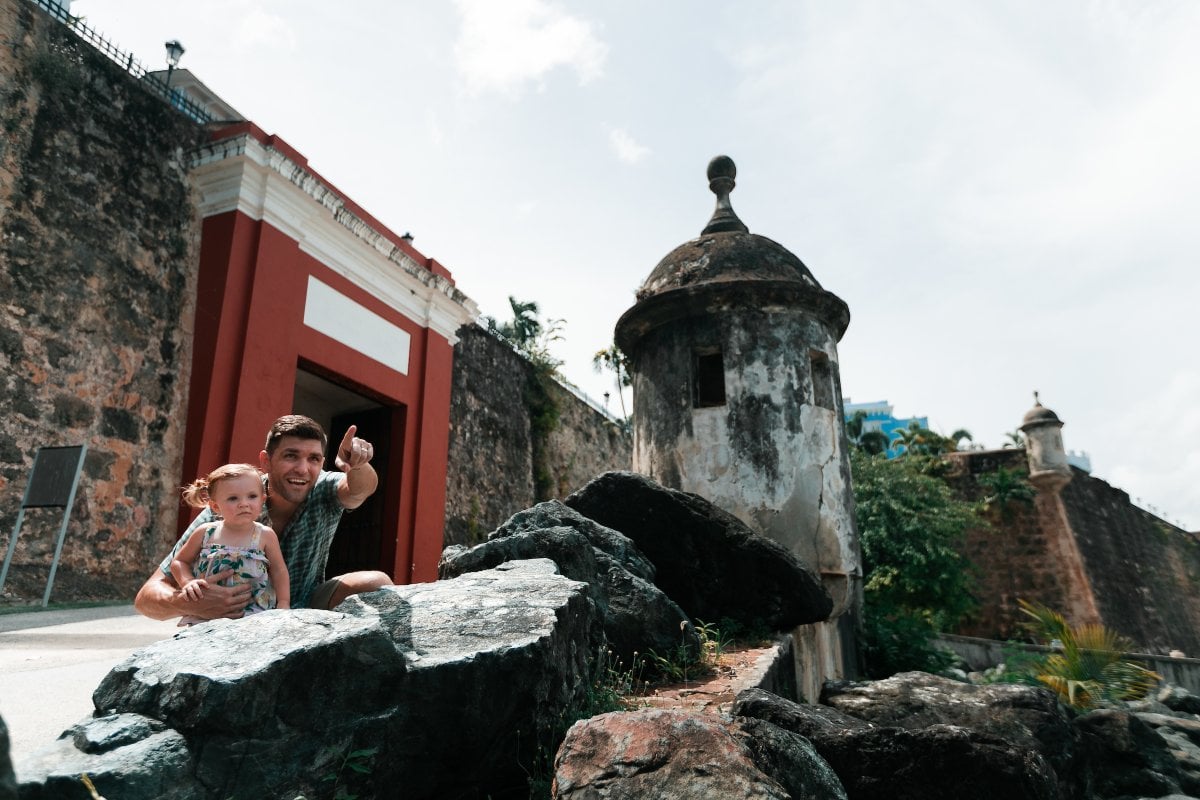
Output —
(305, 304)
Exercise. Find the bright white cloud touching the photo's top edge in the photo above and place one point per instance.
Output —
(502, 46)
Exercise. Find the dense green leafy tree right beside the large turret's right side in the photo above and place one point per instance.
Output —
(916, 581)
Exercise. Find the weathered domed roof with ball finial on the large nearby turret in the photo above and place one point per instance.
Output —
(725, 251)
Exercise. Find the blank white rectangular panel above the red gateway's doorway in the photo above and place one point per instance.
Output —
(331, 312)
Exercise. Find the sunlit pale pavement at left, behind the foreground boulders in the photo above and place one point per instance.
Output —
(52, 660)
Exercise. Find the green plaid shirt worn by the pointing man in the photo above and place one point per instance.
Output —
(305, 542)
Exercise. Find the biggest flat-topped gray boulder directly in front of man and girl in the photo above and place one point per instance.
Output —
(445, 690)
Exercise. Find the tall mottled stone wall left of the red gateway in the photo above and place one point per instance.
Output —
(99, 243)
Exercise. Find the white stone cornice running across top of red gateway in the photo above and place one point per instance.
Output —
(242, 175)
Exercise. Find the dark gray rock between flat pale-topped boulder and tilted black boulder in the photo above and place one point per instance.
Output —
(635, 615)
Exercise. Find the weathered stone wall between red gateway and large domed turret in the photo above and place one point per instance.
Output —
(495, 461)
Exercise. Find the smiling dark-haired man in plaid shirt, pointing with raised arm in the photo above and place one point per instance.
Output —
(304, 507)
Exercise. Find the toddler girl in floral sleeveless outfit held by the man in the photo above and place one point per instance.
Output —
(237, 542)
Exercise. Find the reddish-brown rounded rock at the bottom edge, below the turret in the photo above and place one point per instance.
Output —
(675, 755)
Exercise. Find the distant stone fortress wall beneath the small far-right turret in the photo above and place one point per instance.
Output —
(1088, 552)
